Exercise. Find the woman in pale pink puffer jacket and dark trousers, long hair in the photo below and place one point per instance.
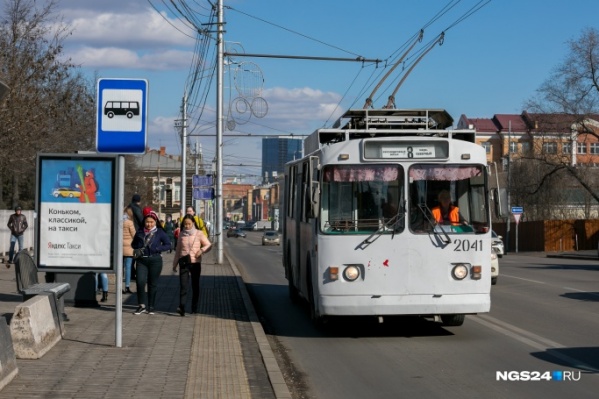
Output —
(188, 257)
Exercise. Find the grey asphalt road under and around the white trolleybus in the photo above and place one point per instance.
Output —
(543, 320)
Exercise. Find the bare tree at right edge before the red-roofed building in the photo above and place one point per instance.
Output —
(565, 109)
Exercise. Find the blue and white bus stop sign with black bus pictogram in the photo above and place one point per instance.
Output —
(121, 120)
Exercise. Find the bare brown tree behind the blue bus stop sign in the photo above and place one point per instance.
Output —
(49, 106)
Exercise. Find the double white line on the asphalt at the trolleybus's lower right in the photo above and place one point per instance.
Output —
(531, 339)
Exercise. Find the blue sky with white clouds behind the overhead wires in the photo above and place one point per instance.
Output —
(490, 62)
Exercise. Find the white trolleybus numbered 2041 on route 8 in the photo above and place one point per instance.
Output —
(388, 214)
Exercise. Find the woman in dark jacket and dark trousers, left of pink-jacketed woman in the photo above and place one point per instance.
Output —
(148, 244)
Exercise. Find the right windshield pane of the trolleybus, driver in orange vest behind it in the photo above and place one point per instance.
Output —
(462, 185)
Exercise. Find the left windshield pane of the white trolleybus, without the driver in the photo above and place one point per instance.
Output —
(361, 199)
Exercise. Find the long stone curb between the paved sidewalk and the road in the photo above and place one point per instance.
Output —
(273, 370)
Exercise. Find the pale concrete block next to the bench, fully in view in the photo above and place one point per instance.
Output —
(36, 327)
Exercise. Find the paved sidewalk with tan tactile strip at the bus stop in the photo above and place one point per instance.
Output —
(222, 352)
